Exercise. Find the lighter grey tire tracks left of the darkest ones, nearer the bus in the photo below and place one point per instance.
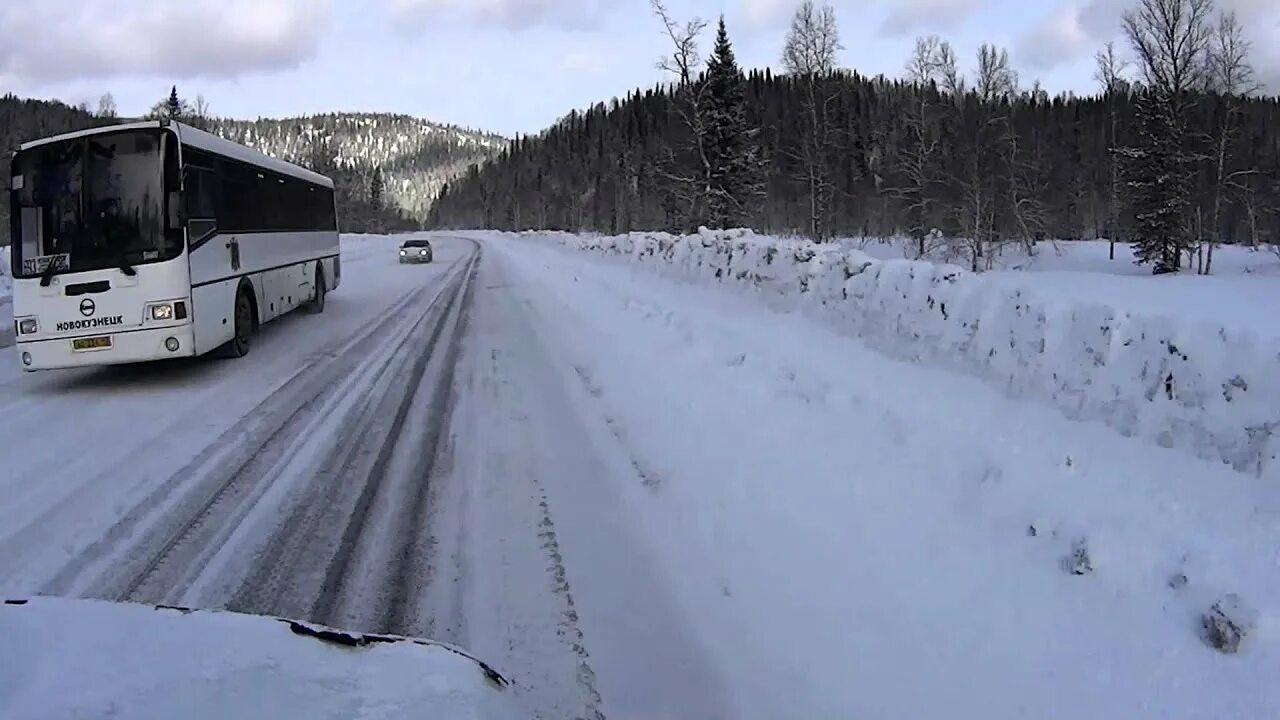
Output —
(196, 514)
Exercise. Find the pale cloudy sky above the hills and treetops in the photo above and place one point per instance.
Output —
(508, 66)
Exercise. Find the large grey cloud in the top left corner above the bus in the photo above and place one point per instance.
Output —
(61, 40)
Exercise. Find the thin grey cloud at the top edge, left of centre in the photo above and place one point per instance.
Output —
(510, 15)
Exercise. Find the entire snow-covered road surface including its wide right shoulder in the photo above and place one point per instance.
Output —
(644, 500)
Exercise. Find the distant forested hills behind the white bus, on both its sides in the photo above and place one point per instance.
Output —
(388, 168)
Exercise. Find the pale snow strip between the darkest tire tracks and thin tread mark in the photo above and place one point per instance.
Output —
(500, 584)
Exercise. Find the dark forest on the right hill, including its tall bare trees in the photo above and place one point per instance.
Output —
(1177, 151)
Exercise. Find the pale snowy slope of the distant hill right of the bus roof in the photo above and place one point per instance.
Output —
(415, 156)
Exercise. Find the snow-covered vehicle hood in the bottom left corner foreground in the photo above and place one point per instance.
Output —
(68, 659)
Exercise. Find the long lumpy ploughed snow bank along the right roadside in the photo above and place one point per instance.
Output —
(1188, 385)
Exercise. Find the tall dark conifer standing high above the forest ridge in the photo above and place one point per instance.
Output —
(733, 156)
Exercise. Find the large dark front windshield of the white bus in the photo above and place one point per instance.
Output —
(89, 204)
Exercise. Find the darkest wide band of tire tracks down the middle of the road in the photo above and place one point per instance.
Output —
(313, 568)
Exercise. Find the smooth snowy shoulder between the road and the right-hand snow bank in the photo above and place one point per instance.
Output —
(854, 536)
